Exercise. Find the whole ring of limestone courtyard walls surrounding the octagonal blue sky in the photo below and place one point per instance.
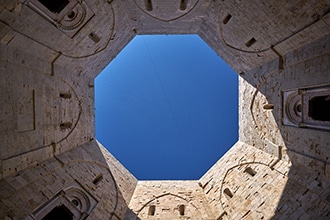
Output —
(51, 166)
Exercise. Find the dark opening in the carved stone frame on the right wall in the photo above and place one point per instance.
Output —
(319, 108)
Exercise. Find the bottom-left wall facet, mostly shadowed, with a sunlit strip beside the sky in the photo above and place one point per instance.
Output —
(87, 174)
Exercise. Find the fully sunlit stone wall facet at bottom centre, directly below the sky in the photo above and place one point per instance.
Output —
(165, 199)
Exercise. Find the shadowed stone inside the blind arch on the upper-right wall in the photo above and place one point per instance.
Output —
(262, 40)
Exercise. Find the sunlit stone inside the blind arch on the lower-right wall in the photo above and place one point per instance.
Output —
(241, 189)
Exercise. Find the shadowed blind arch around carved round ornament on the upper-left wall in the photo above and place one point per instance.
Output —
(75, 24)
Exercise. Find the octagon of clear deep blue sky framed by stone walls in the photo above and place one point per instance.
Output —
(167, 107)
